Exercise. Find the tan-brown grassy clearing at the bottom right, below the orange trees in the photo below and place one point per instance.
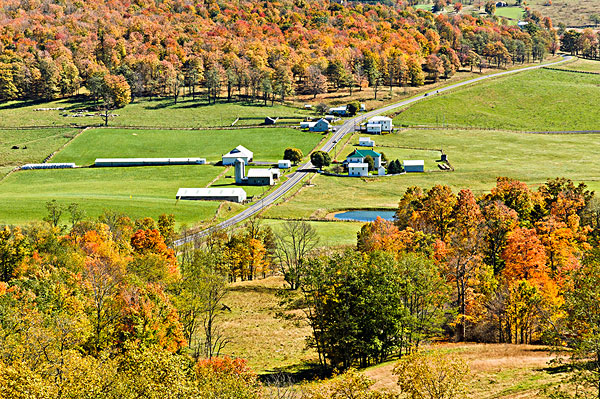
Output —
(497, 370)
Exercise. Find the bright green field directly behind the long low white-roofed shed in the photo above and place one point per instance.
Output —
(267, 144)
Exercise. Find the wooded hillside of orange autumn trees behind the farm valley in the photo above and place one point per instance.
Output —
(50, 49)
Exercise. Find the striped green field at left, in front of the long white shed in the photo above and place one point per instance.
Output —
(135, 191)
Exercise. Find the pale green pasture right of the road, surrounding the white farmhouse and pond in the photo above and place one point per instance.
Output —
(478, 157)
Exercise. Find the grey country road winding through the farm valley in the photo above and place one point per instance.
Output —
(348, 127)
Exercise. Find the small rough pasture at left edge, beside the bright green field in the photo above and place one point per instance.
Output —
(39, 142)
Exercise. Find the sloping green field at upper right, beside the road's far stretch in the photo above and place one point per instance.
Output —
(538, 100)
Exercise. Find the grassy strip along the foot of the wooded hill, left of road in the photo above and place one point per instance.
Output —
(142, 112)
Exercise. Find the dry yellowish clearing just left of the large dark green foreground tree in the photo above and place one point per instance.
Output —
(261, 331)
